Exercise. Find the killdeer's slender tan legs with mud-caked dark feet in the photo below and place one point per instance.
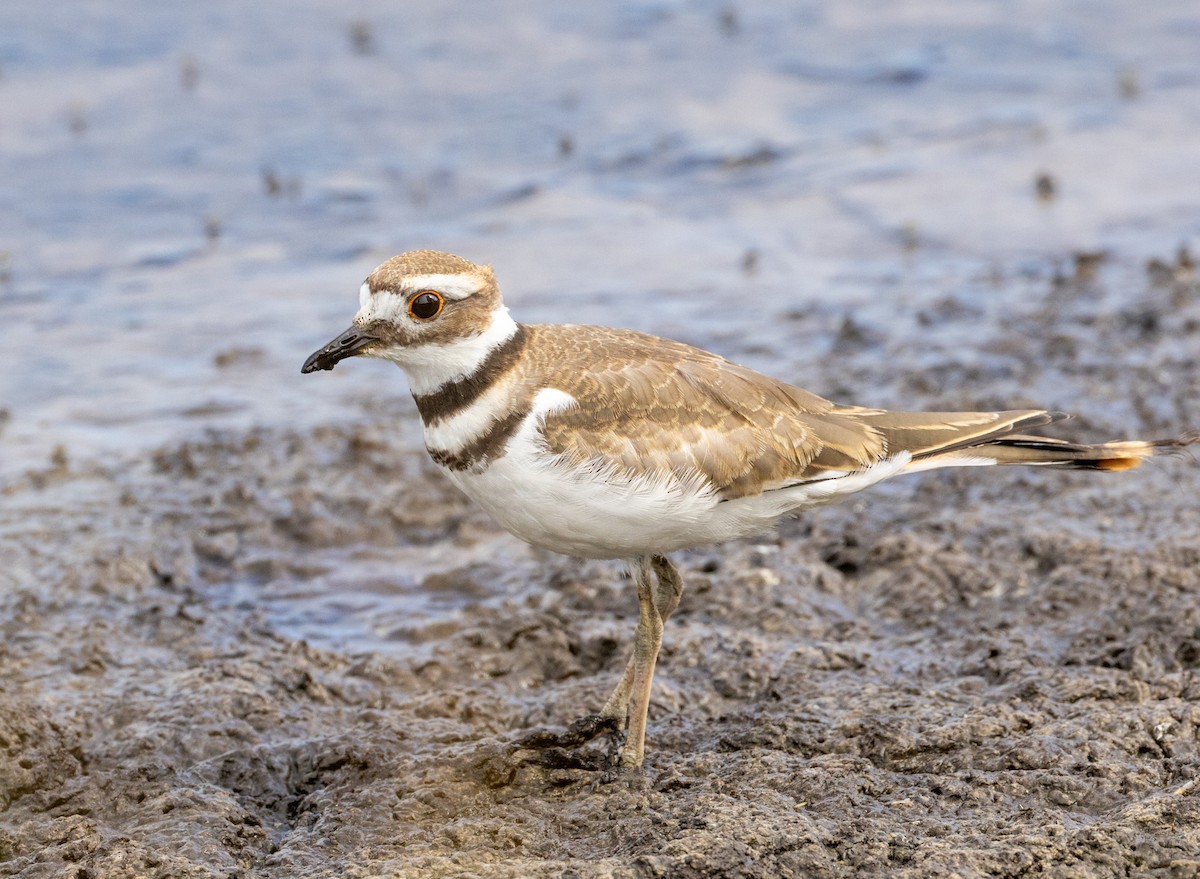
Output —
(627, 707)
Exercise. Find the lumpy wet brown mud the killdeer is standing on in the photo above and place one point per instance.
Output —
(964, 674)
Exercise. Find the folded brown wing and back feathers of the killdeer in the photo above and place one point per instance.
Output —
(649, 405)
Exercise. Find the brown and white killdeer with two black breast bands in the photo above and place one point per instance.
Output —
(609, 444)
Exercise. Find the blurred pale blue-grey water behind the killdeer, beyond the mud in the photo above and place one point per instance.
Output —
(193, 194)
